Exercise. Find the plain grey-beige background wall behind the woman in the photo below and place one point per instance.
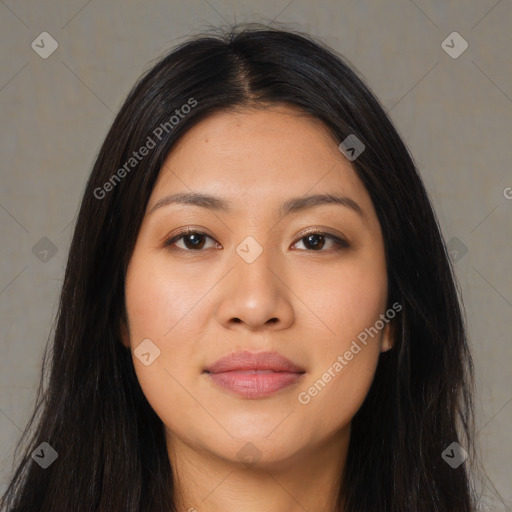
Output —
(455, 114)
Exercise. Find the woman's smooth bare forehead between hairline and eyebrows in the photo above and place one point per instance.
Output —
(259, 156)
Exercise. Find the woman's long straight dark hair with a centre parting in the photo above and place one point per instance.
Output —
(90, 408)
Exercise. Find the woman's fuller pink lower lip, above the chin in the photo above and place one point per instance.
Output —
(255, 385)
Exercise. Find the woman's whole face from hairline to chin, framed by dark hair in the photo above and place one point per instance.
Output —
(251, 279)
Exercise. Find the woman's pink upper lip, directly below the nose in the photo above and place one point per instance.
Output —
(245, 360)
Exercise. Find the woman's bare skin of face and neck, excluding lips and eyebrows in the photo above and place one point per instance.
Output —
(201, 304)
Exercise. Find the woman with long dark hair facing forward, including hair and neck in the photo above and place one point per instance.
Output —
(258, 310)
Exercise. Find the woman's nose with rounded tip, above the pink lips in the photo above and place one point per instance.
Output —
(256, 296)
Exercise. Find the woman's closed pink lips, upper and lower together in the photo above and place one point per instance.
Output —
(254, 375)
